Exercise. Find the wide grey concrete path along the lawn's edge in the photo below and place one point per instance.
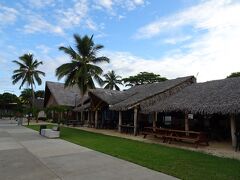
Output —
(24, 155)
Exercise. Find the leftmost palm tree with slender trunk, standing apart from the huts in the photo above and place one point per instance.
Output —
(27, 73)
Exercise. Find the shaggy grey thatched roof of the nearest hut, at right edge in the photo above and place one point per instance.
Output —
(219, 96)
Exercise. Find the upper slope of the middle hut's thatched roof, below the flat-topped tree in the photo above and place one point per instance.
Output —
(141, 93)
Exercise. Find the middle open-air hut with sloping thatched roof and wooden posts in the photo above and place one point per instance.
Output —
(146, 95)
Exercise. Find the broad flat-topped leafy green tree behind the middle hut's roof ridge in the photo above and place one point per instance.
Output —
(143, 78)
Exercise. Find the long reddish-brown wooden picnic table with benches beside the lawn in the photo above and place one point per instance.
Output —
(169, 135)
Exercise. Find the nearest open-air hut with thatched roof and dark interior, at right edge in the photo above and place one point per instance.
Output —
(213, 104)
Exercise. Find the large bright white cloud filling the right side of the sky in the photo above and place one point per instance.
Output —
(213, 53)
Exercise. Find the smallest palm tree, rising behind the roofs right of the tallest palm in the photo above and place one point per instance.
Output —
(112, 80)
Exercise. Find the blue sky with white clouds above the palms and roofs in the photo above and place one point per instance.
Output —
(172, 38)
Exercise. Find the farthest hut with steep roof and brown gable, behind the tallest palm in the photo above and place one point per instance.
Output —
(57, 95)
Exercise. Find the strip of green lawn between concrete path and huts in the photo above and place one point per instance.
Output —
(180, 163)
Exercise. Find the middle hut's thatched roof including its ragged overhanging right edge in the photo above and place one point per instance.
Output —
(149, 93)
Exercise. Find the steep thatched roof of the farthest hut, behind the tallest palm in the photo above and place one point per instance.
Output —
(68, 96)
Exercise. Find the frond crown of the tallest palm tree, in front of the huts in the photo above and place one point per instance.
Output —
(83, 69)
